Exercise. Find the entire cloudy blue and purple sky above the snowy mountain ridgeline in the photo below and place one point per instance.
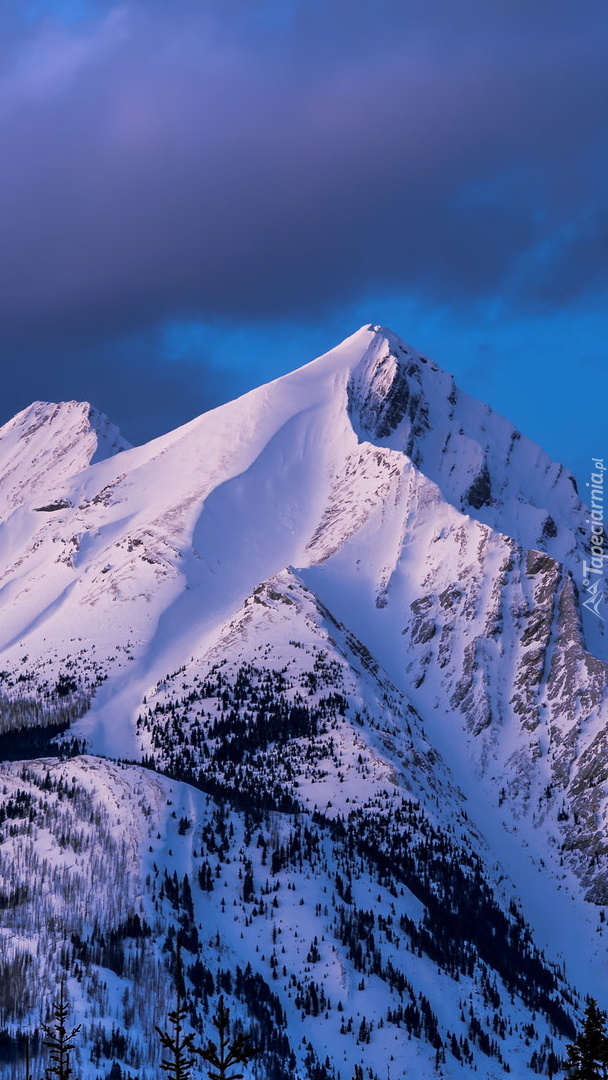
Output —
(198, 197)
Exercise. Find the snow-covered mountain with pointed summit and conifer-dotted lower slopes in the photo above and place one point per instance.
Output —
(336, 626)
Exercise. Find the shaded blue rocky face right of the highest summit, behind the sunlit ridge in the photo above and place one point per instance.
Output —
(483, 466)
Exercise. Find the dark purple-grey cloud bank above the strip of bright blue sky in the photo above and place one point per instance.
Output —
(236, 161)
